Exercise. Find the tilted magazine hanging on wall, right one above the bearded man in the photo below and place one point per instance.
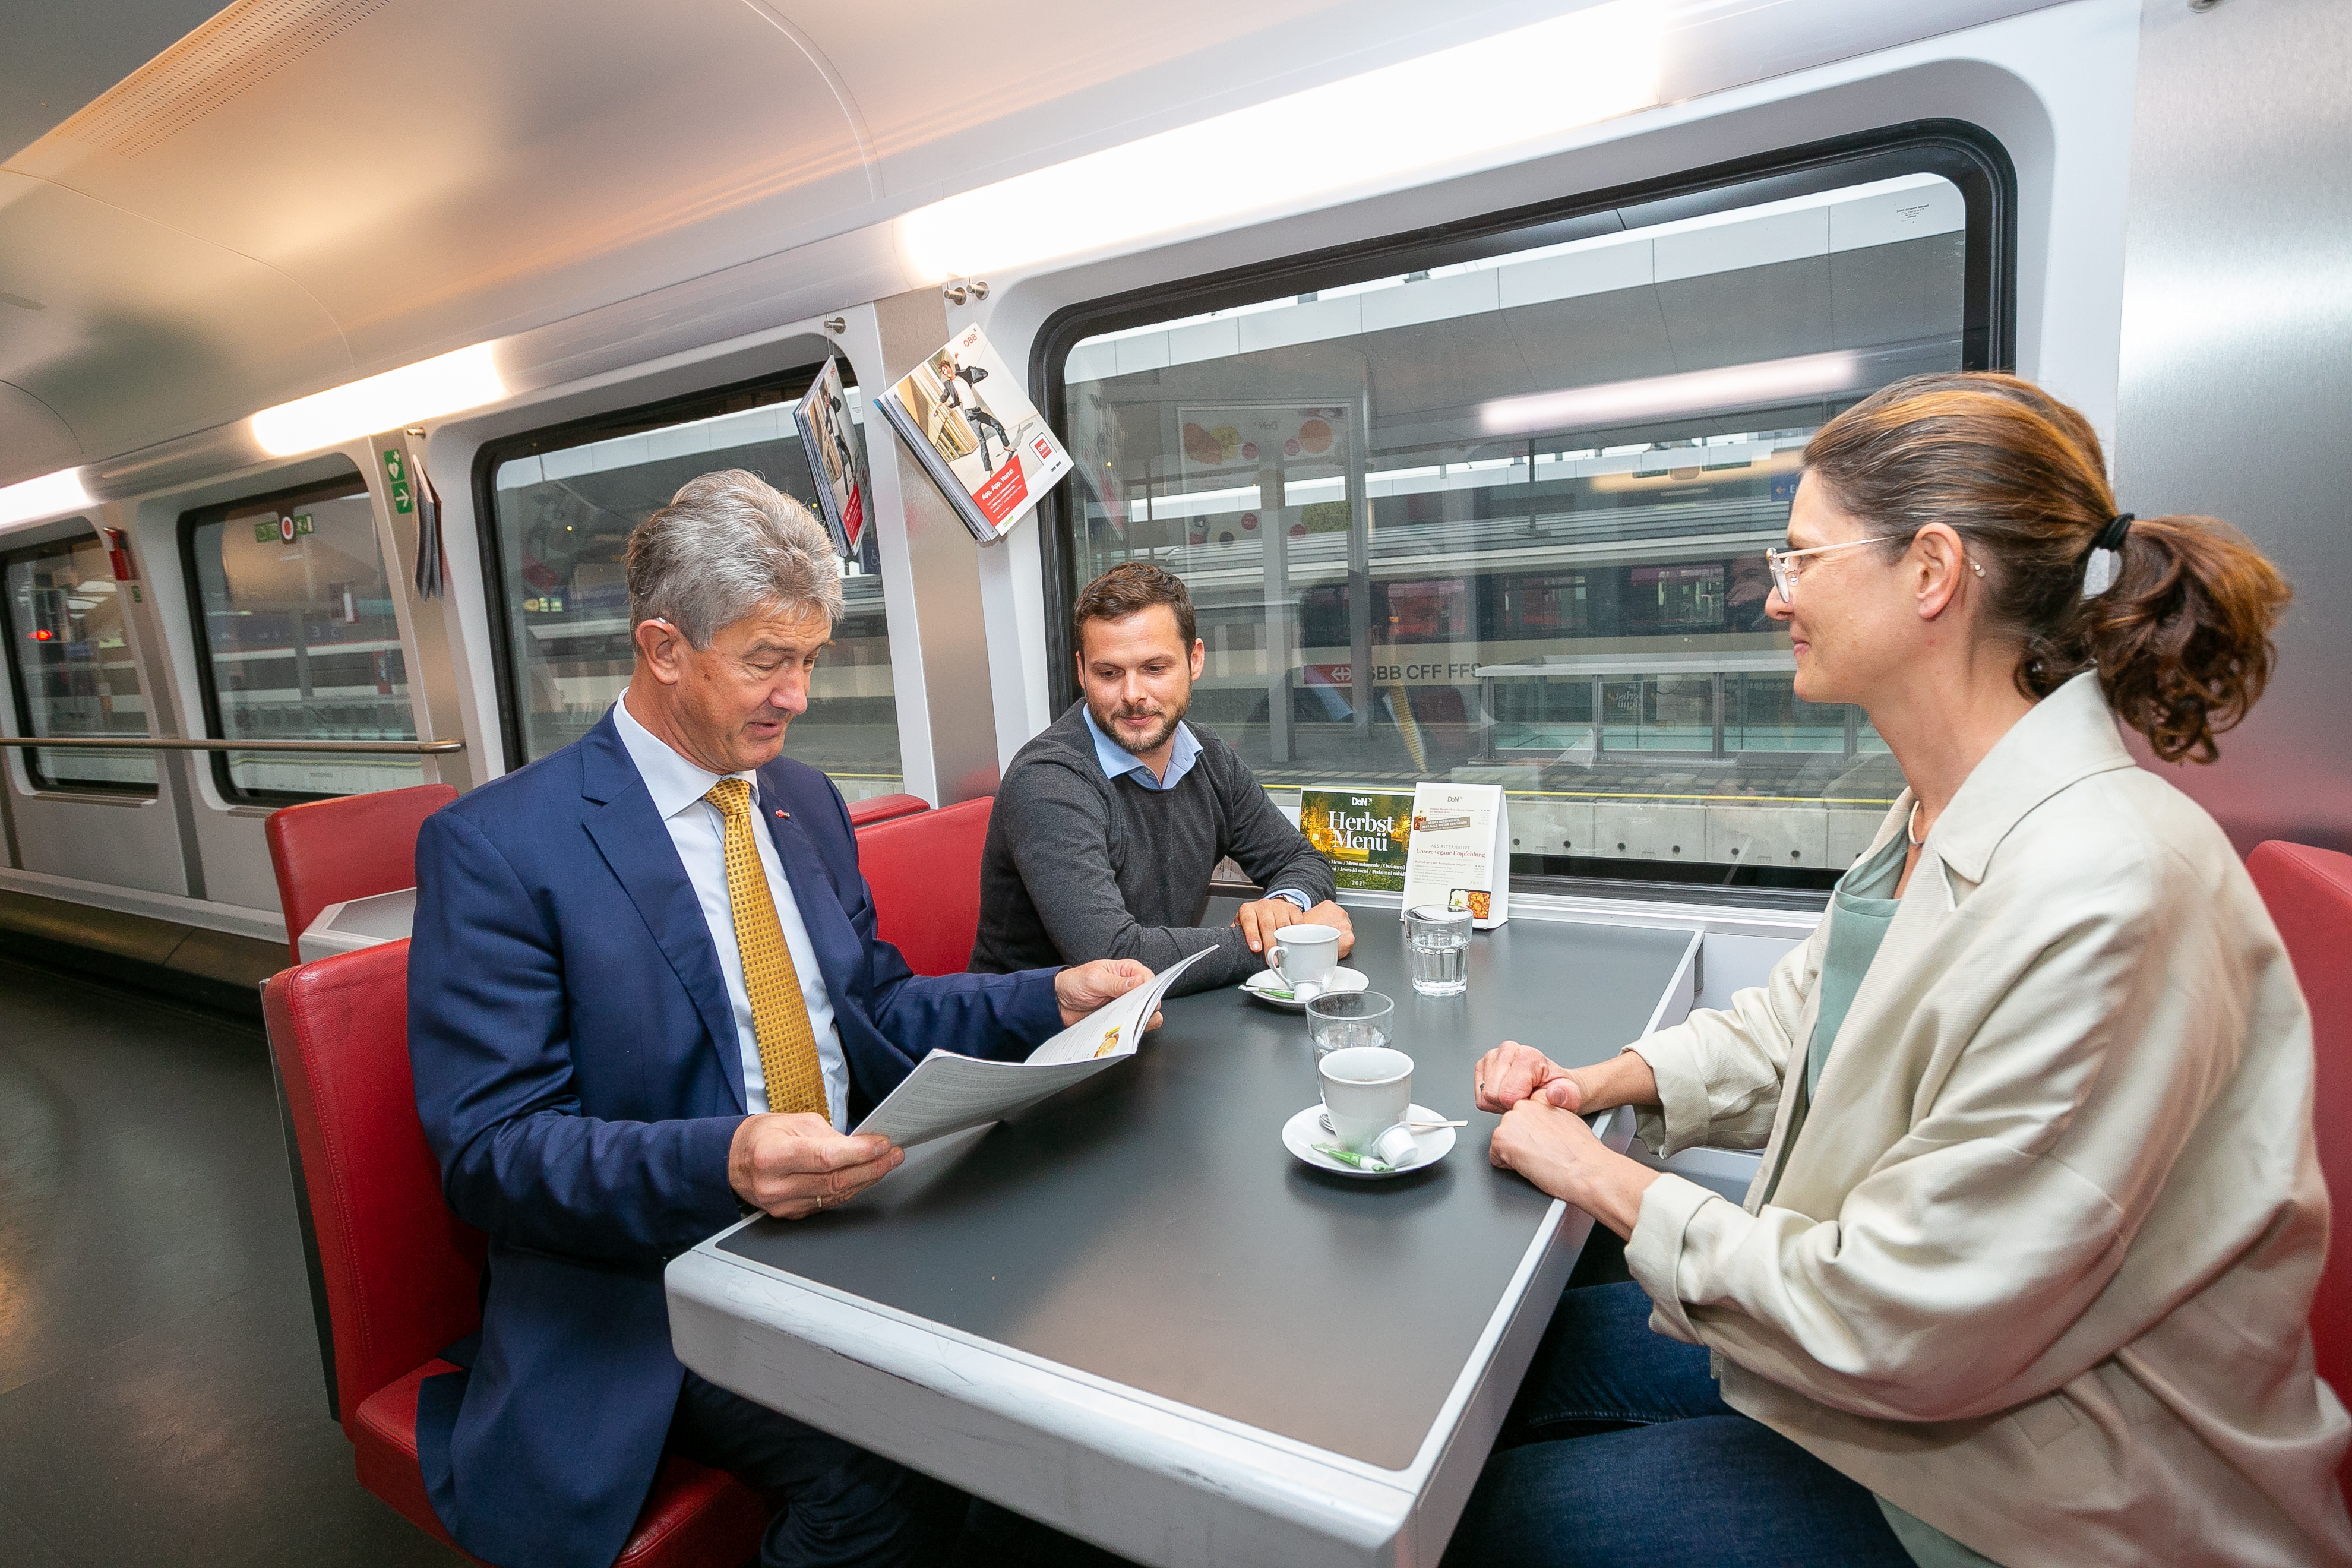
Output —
(977, 434)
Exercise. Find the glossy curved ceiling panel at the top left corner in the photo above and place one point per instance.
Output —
(436, 166)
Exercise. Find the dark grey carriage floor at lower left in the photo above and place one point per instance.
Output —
(161, 1395)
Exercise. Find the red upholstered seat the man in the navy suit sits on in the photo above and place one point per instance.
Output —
(401, 1273)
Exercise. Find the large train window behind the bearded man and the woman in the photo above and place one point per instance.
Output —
(1499, 514)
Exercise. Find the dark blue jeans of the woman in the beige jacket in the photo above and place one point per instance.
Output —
(1622, 1452)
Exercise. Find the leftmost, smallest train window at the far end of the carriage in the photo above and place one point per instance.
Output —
(72, 669)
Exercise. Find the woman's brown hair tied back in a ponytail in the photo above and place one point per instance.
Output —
(2181, 636)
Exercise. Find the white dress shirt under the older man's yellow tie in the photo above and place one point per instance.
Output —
(700, 836)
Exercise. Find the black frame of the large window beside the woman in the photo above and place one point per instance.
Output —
(1956, 149)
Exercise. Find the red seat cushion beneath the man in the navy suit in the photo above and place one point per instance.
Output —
(695, 1515)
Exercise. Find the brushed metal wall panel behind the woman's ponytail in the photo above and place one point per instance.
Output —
(2238, 342)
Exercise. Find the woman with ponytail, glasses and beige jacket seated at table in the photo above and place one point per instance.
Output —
(2026, 1268)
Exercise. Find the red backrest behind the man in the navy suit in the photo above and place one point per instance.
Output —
(401, 1271)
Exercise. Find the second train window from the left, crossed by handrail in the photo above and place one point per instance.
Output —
(298, 643)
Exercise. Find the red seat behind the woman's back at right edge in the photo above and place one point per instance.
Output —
(2311, 899)
